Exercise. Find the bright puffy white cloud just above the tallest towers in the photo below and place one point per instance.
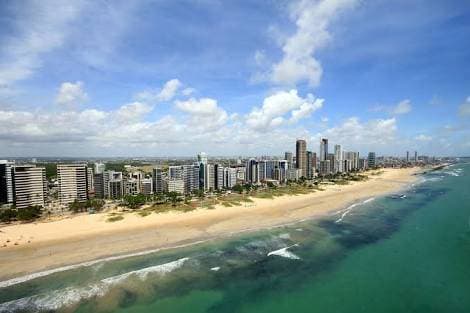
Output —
(276, 107)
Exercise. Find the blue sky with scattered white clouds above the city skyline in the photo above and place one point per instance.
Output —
(173, 78)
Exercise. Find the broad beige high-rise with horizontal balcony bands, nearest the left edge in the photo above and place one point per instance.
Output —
(29, 186)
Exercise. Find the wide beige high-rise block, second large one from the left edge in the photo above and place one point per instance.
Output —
(73, 182)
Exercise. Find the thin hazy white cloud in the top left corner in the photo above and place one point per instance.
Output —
(39, 28)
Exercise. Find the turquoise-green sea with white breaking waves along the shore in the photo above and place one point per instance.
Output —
(408, 252)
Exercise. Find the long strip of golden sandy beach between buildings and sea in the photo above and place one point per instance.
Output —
(46, 245)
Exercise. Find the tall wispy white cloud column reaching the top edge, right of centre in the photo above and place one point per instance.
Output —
(312, 19)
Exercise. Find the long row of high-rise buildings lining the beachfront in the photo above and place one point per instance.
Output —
(26, 185)
